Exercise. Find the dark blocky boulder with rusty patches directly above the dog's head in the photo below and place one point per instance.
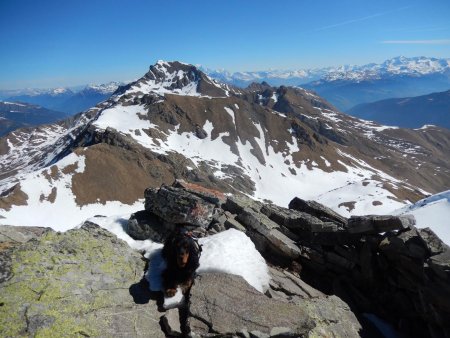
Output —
(175, 205)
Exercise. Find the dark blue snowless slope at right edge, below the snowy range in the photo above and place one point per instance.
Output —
(409, 112)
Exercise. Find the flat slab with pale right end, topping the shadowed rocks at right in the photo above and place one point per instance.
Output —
(373, 224)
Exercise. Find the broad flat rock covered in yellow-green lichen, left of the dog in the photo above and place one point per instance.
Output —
(75, 283)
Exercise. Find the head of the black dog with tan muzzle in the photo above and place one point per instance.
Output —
(181, 250)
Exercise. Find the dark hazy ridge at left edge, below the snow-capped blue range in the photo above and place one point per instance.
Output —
(14, 115)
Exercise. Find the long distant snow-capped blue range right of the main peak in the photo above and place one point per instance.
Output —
(347, 86)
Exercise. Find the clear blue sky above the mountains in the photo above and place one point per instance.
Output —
(67, 42)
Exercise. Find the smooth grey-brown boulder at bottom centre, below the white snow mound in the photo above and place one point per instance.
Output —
(227, 305)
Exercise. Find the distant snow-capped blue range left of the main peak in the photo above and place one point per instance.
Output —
(63, 99)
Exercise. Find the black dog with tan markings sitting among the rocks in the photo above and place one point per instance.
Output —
(182, 254)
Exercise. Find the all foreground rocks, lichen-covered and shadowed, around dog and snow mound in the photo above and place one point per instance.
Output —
(329, 274)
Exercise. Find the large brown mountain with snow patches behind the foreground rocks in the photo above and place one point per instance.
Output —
(176, 122)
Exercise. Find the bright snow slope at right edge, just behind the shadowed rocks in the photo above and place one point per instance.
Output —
(432, 212)
